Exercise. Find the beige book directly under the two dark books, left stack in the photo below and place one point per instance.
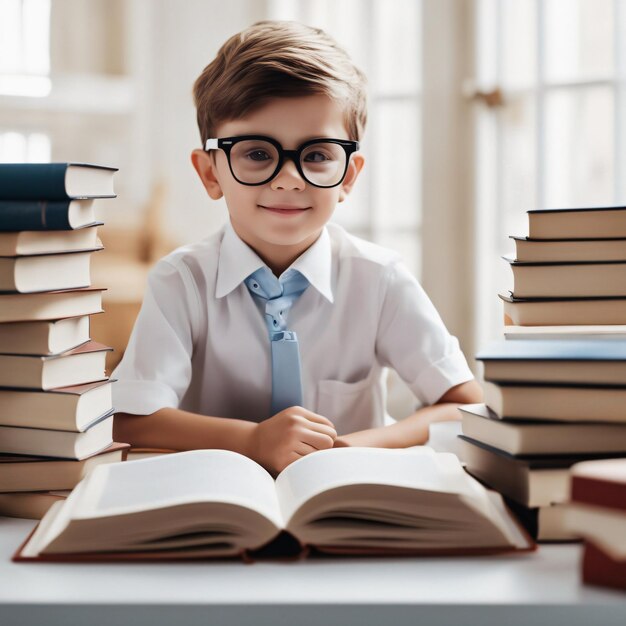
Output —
(49, 242)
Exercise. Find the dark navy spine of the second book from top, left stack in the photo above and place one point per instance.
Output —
(34, 215)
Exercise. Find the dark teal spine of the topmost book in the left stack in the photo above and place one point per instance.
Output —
(30, 181)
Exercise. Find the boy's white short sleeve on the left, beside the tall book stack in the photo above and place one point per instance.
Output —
(155, 370)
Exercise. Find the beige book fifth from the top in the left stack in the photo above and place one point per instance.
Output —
(51, 305)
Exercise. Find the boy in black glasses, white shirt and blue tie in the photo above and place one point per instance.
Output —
(271, 337)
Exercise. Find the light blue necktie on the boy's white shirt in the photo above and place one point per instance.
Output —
(277, 296)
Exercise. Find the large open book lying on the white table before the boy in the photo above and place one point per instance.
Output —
(217, 503)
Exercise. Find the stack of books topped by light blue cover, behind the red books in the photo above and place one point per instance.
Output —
(548, 404)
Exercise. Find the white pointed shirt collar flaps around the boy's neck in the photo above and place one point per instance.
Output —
(237, 261)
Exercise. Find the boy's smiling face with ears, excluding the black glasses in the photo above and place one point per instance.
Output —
(279, 237)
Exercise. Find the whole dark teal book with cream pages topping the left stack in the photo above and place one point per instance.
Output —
(55, 181)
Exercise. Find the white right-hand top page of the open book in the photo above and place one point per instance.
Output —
(416, 468)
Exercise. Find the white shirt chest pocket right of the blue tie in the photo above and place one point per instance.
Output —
(352, 406)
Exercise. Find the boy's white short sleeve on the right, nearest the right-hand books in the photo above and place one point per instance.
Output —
(413, 340)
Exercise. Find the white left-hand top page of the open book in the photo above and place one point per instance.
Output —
(180, 478)
